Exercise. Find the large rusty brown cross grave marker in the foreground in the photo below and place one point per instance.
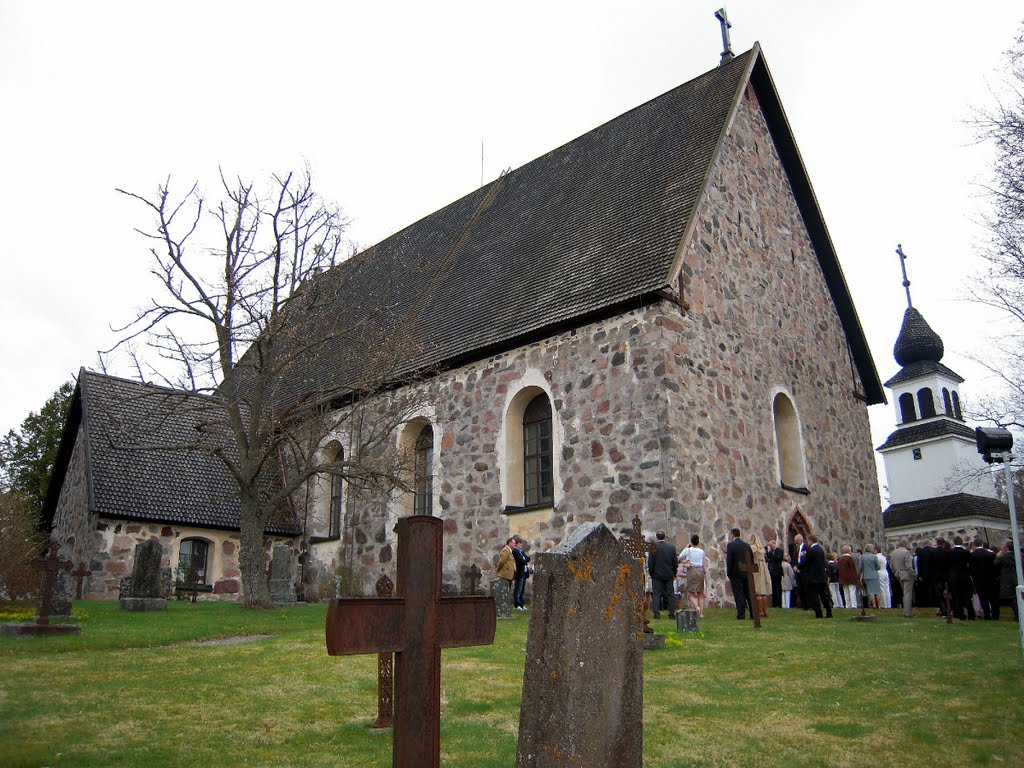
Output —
(414, 626)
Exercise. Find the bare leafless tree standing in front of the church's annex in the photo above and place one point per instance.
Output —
(245, 317)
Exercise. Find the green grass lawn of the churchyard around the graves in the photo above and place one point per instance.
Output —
(132, 692)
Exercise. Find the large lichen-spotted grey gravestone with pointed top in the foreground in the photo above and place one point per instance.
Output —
(583, 685)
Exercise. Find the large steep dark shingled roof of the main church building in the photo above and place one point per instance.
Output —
(591, 228)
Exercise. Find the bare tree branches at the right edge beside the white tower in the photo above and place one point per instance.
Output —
(1001, 285)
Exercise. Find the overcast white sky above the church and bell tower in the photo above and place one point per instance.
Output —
(389, 102)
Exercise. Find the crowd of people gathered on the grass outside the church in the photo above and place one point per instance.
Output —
(972, 579)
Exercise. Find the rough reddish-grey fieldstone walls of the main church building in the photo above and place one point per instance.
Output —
(666, 413)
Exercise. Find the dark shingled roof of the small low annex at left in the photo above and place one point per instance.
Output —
(140, 465)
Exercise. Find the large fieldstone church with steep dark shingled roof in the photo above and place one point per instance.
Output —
(650, 321)
